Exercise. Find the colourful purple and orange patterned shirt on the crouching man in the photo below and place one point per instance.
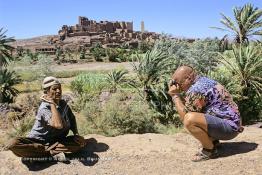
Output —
(209, 97)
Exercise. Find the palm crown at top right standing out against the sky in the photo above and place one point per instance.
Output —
(247, 23)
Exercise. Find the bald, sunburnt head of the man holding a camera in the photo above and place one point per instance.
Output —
(184, 76)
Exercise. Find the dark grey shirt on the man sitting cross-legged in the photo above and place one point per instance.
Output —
(43, 131)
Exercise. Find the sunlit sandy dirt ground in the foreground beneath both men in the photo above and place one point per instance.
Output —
(151, 154)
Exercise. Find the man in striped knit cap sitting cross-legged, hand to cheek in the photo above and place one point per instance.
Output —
(48, 136)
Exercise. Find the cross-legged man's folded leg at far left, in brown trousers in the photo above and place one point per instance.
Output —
(27, 147)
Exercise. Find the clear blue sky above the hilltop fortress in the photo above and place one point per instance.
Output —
(180, 18)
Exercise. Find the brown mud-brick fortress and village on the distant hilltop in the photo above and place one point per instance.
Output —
(88, 33)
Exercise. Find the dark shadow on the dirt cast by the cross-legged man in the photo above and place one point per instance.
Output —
(86, 156)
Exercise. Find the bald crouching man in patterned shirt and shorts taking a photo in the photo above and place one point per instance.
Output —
(208, 111)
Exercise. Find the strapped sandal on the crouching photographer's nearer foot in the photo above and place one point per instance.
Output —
(206, 154)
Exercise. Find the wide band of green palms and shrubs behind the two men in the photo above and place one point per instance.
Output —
(120, 102)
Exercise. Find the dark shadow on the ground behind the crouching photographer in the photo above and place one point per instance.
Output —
(233, 148)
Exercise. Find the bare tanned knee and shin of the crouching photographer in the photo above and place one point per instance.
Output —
(196, 124)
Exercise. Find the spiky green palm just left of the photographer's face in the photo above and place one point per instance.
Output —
(152, 70)
